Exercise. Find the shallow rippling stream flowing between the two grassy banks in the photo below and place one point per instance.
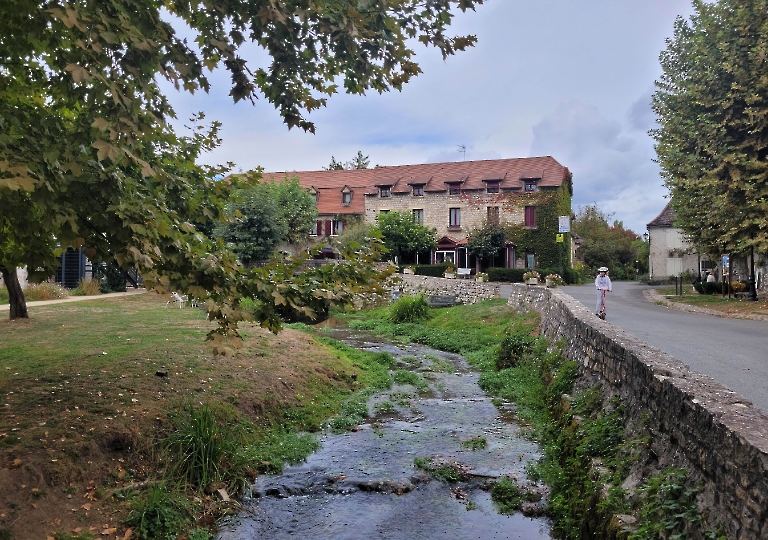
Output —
(363, 484)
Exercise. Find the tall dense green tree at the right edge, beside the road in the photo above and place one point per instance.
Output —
(712, 105)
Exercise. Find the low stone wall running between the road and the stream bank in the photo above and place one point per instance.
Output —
(697, 423)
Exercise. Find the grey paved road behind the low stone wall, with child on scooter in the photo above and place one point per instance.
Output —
(731, 351)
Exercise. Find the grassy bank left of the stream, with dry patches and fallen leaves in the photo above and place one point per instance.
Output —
(117, 416)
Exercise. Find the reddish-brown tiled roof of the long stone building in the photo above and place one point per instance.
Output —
(434, 177)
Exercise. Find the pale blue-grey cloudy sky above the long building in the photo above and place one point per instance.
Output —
(568, 78)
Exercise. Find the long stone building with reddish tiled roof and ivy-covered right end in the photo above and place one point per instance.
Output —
(454, 198)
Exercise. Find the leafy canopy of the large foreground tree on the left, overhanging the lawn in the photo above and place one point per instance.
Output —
(85, 139)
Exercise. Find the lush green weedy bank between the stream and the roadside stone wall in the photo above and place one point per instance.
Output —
(588, 446)
